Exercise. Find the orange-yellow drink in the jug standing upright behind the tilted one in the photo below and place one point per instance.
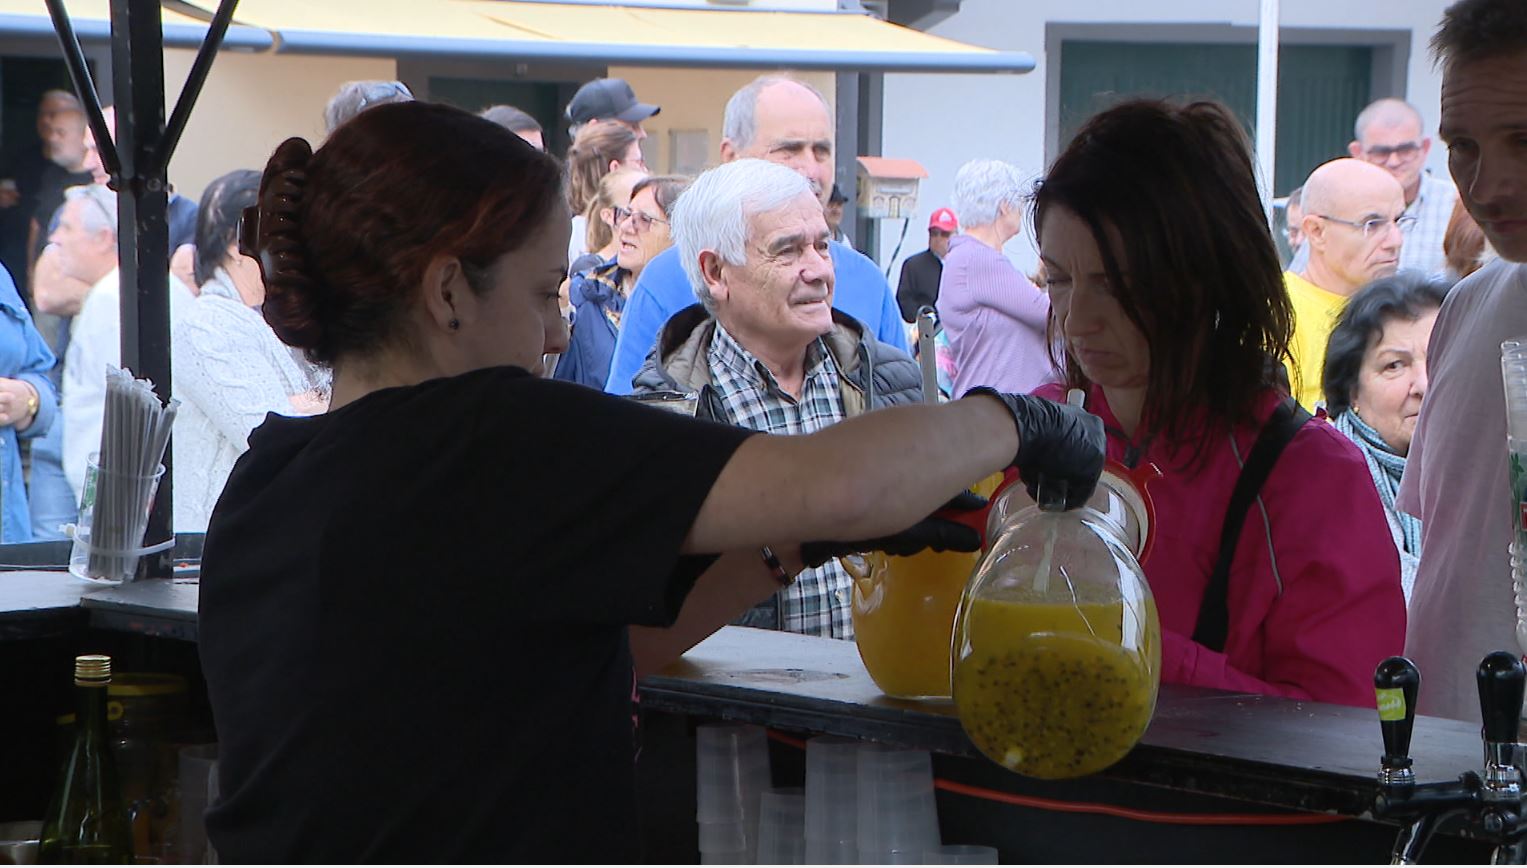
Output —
(903, 626)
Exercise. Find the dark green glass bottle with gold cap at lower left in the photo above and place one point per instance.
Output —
(88, 820)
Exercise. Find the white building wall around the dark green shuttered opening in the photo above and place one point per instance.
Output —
(948, 120)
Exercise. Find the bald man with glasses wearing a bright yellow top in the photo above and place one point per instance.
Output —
(1354, 232)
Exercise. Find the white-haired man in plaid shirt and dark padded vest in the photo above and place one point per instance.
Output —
(766, 349)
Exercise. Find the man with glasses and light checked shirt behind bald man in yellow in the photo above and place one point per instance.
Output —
(1390, 134)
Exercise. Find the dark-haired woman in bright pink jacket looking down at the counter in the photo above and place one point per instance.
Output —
(1167, 296)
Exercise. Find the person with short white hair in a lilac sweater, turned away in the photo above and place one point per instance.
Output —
(993, 316)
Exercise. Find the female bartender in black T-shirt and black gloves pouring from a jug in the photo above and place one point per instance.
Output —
(416, 607)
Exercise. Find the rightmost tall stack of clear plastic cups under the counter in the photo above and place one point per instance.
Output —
(899, 818)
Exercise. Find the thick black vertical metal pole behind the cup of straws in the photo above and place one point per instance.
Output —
(138, 65)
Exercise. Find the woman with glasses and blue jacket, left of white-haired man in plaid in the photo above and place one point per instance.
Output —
(599, 296)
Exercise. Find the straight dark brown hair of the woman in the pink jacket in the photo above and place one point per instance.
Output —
(1204, 283)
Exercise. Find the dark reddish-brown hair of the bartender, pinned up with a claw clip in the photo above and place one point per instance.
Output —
(344, 235)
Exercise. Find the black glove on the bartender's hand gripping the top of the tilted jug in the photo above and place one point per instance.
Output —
(1057, 444)
